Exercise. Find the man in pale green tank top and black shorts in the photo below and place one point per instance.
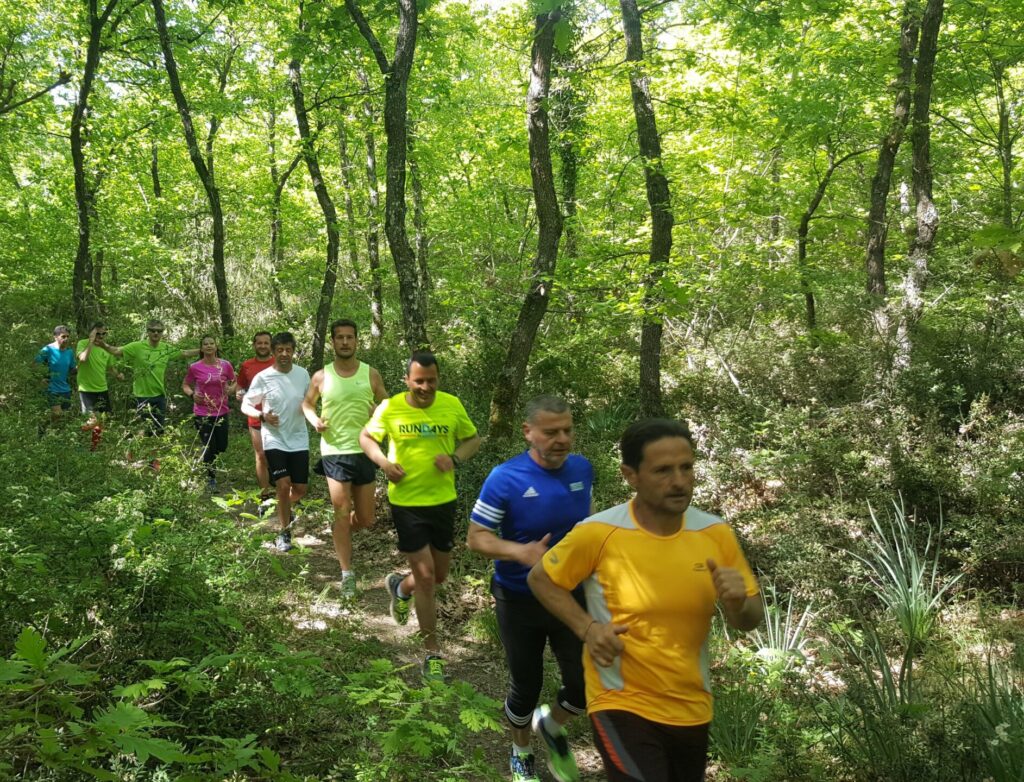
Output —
(349, 392)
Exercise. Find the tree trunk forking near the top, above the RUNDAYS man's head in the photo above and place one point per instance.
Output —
(396, 128)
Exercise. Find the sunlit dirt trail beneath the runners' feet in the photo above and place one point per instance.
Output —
(472, 657)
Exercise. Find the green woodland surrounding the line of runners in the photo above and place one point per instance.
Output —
(796, 225)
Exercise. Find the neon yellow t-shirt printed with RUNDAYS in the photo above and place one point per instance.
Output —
(415, 438)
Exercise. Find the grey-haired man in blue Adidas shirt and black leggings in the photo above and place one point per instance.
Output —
(528, 505)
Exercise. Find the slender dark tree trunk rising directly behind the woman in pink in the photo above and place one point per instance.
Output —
(204, 173)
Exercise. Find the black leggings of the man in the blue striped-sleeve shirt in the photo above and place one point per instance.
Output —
(526, 627)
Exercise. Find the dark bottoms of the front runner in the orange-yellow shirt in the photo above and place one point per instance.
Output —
(635, 750)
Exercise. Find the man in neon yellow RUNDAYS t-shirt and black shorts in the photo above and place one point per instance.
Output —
(430, 437)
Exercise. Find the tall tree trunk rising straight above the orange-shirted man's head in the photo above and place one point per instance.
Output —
(661, 214)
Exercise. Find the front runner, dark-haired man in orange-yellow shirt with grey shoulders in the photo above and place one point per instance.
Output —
(653, 572)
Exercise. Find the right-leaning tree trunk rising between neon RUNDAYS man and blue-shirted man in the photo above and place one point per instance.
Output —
(549, 219)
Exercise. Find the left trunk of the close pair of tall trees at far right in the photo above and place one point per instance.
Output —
(877, 224)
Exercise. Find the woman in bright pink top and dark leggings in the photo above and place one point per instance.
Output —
(208, 382)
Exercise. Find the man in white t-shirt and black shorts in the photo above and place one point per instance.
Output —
(280, 390)
